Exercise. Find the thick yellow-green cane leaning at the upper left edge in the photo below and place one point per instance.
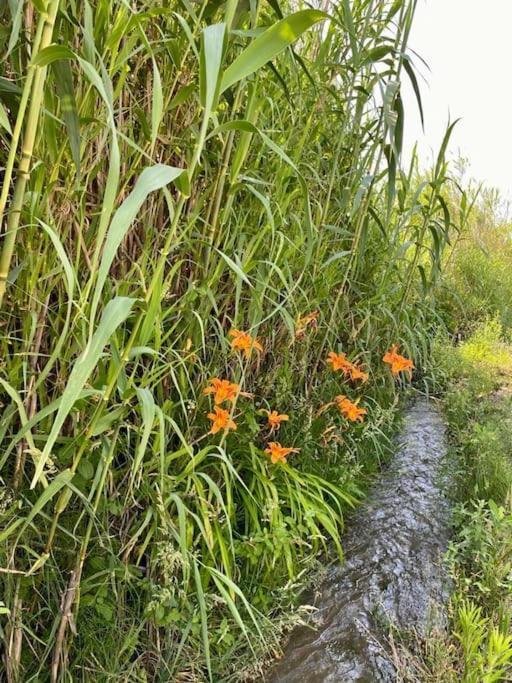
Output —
(23, 172)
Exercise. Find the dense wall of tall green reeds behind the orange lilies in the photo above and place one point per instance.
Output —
(171, 172)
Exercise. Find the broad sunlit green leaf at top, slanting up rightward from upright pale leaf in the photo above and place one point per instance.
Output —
(269, 44)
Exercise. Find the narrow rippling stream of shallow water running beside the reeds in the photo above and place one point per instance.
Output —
(393, 571)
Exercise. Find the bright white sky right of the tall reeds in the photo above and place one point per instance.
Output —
(467, 45)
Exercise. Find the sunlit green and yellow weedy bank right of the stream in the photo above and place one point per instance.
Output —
(474, 378)
